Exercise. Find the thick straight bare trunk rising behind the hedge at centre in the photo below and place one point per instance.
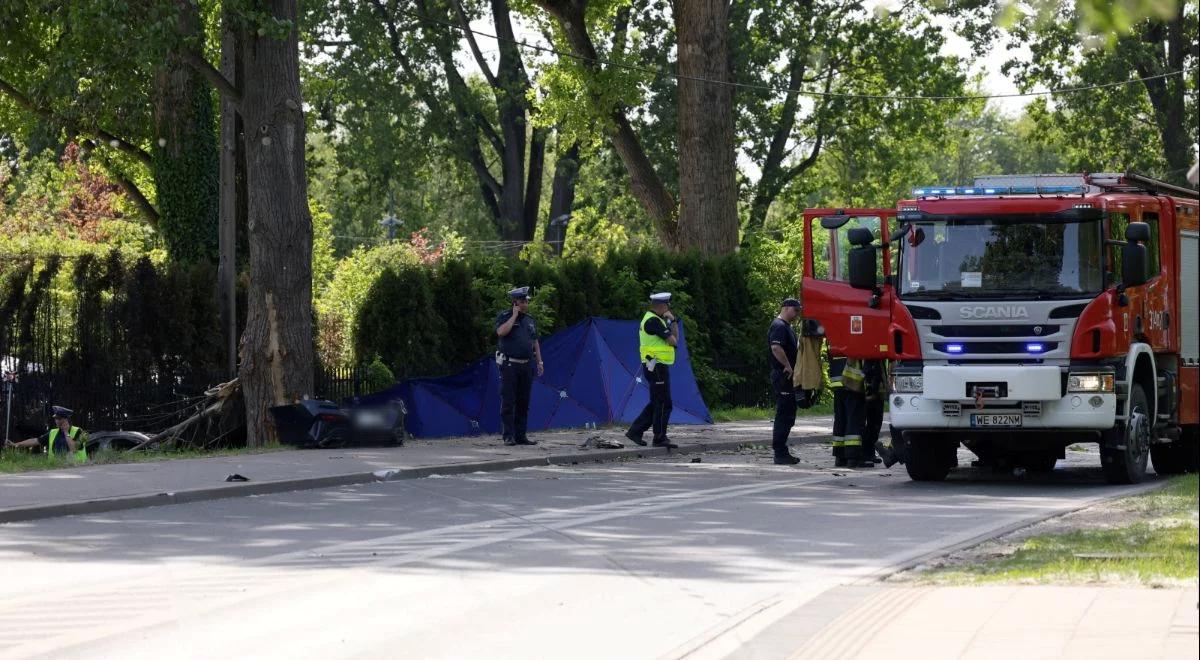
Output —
(709, 194)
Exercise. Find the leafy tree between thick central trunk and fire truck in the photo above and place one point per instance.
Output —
(831, 71)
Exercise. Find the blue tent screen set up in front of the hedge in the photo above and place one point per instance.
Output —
(593, 376)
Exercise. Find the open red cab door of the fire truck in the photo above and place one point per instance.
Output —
(854, 326)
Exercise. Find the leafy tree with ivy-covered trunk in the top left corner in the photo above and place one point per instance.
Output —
(110, 73)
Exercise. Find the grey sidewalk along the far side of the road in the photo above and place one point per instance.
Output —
(110, 488)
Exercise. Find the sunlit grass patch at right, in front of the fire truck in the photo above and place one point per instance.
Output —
(1153, 542)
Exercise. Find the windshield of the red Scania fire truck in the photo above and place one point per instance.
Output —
(956, 257)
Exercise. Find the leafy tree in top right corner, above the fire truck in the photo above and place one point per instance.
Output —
(1107, 127)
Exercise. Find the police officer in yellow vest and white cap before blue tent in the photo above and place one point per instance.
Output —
(658, 335)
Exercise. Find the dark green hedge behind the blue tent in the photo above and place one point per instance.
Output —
(430, 321)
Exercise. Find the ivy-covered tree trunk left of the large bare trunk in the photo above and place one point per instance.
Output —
(187, 170)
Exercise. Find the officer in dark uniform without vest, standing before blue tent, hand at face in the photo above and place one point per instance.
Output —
(519, 358)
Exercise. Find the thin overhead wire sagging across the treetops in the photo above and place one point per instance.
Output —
(778, 89)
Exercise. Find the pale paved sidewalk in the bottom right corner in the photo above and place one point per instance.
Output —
(983, 623)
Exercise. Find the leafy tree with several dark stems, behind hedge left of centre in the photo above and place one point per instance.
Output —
(407, 53)
